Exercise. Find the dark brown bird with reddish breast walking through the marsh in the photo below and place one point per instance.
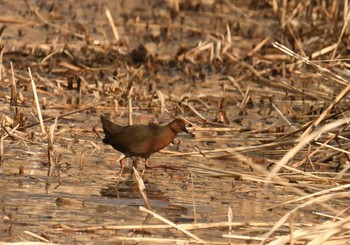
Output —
(140, 140)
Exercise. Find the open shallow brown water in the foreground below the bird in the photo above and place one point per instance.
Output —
(94, 196)
